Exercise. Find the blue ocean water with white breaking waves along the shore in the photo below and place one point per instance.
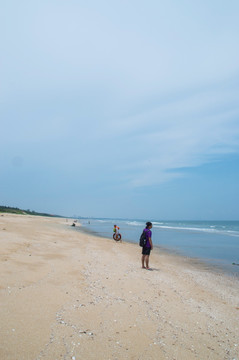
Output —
(215, 242)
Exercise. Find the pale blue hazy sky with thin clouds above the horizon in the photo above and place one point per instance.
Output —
(120, 109)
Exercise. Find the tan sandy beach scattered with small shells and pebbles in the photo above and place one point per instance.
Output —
(69, 295)
